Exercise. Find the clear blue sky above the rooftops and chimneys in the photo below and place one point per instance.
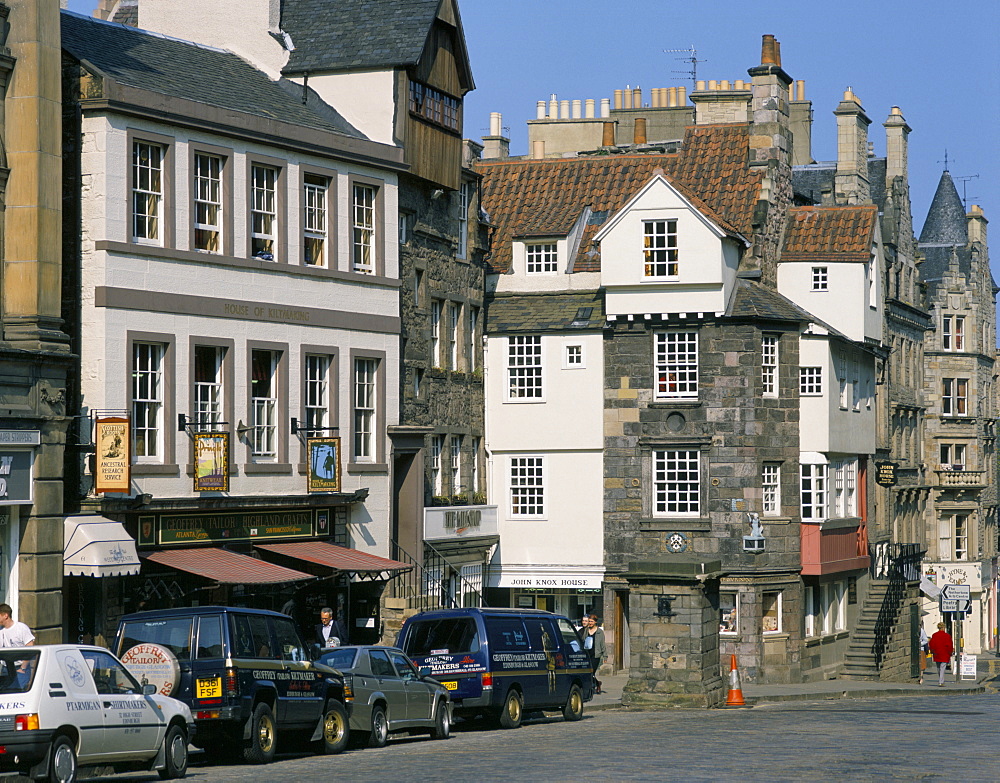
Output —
(939, 62)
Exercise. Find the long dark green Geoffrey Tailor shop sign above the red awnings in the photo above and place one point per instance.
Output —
(220, 528)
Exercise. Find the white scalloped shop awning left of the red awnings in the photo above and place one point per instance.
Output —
(97, 546)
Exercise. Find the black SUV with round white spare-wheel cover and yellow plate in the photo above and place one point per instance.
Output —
(245, 673)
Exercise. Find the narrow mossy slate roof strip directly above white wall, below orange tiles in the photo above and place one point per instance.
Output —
(544, 312)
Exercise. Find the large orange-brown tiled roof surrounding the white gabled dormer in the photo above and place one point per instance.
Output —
(546, 197)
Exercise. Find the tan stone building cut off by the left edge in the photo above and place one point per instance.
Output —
(34, 347)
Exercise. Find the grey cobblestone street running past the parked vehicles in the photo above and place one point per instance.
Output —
(947, 737)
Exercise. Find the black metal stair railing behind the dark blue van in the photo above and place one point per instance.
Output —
(435, 582)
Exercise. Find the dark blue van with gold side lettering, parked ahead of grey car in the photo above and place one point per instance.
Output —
(501, 662)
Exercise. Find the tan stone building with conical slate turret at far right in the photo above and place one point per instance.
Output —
(959, 445)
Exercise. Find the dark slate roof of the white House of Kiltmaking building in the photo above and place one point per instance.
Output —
(180, 69)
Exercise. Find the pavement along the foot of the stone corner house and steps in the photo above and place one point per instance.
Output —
(987, 680)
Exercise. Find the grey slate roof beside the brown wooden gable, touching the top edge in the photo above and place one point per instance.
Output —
(341, 34)
